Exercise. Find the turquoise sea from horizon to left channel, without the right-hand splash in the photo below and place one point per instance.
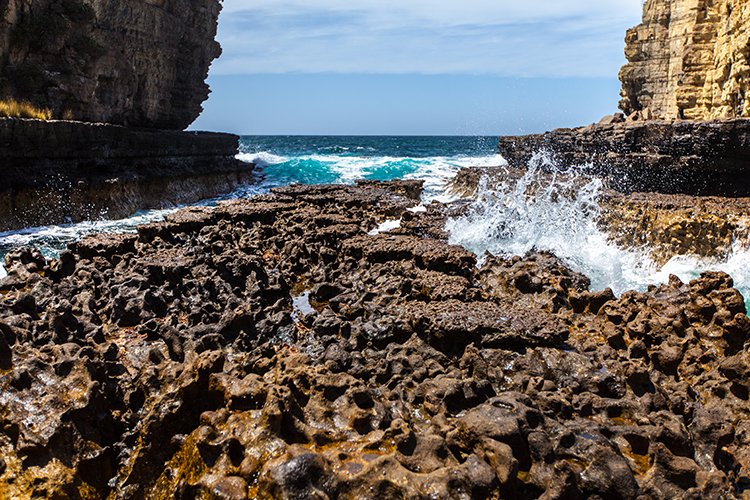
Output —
(284, 160)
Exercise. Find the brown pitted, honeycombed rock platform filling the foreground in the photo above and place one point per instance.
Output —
(273, 348)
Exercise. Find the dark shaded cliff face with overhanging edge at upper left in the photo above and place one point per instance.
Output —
(140, 63)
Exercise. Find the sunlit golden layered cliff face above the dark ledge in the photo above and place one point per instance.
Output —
(689, 59)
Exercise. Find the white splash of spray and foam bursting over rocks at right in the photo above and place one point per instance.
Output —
(551, 209)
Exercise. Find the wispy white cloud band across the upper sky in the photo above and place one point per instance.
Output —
(500, 37)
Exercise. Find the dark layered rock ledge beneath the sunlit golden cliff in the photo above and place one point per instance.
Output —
(696, 158)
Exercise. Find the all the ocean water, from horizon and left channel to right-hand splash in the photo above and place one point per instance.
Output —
(503, 220)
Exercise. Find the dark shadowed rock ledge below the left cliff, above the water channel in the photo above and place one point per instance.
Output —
(54, 172)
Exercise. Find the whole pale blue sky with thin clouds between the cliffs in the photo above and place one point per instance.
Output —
(415, 67)
